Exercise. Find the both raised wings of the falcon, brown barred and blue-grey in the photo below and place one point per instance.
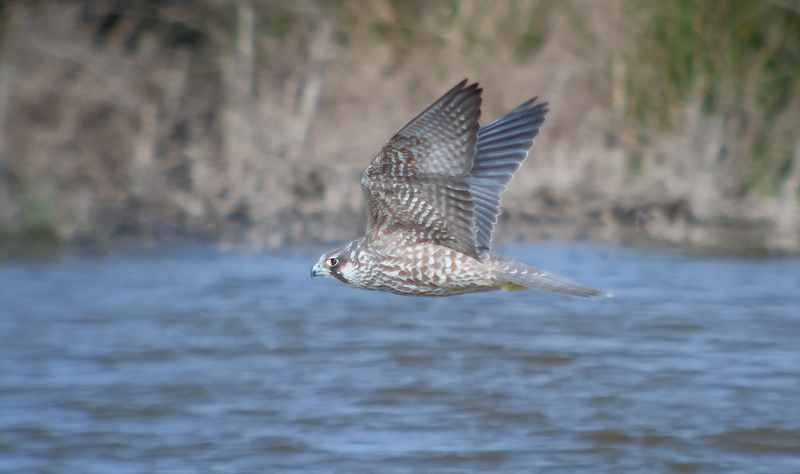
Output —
(441, 176)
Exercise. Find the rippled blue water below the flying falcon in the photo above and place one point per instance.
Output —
(200, 361)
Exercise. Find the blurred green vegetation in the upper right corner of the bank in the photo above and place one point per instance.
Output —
(741, 58)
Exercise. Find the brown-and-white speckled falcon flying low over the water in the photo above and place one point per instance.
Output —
(433, 197)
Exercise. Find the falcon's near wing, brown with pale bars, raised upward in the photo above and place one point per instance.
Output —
(419, 180)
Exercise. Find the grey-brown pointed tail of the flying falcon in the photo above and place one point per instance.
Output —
(514, 275)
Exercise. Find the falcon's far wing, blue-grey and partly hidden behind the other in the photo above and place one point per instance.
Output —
(501, 147)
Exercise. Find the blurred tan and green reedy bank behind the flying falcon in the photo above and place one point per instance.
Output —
(250, 122)
